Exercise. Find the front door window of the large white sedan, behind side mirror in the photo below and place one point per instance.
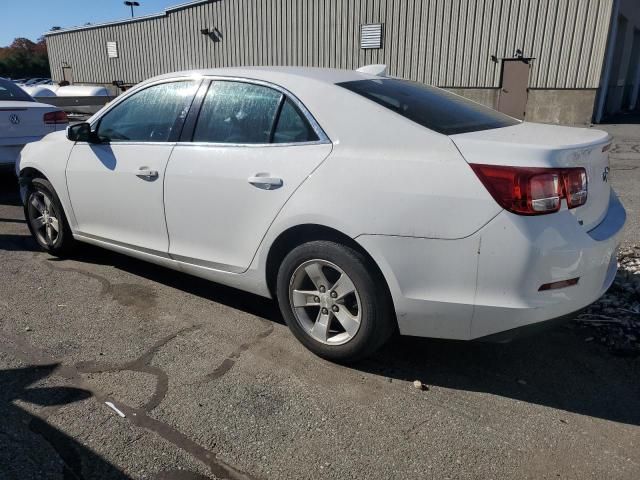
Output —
(150, 115)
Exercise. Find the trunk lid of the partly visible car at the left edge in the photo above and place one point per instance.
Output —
(23, 119)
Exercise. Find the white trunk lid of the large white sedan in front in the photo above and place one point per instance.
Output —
(549, 146)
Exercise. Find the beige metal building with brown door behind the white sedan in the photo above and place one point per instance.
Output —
(569, 61)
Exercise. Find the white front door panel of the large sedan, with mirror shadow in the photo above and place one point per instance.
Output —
(99, 172)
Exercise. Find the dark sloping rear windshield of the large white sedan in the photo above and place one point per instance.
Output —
(431, 107)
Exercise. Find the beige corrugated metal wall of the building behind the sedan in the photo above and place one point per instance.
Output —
(447, 43)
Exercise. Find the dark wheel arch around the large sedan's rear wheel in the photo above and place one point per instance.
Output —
(299, 234)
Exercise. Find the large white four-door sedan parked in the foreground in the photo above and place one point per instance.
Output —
(364, 204)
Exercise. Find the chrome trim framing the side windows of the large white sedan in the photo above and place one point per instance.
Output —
(323, 138)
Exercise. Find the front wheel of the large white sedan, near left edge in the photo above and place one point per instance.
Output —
(45, 218)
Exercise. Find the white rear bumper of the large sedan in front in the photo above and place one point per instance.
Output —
(489, 282)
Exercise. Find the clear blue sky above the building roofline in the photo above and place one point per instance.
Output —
(31, 18)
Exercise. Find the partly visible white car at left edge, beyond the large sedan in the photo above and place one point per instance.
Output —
(23, 120)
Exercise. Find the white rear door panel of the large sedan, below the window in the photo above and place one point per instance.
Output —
(220, 199)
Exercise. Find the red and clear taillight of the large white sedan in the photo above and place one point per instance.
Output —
(534, 191)
